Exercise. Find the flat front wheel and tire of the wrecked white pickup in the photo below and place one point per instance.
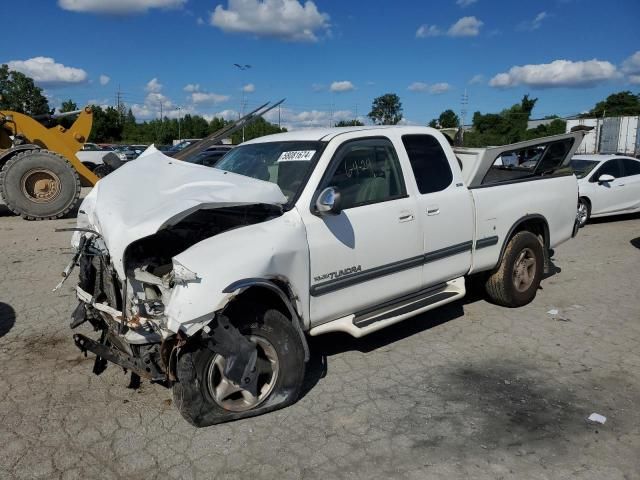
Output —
(203, 395)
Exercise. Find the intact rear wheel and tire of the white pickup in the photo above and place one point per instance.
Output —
(517, 278)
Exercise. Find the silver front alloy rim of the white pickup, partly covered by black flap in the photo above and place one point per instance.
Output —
(233, 398)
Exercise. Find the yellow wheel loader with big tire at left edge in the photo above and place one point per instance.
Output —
(40, 174)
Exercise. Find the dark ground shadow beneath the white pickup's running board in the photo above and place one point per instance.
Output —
(330, 344)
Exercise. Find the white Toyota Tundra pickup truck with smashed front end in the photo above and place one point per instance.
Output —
(209, 279)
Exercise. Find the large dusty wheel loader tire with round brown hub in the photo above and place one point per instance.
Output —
(39, 185)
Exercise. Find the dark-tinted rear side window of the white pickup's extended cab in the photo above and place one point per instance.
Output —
(429, 163)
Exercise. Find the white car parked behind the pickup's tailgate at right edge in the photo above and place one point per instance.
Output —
(608, 185)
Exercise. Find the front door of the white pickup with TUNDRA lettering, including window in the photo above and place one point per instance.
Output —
(372, 250)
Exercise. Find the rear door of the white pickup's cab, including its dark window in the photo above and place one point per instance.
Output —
(445, 209)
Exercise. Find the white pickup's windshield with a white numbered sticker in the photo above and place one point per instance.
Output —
(284, 163)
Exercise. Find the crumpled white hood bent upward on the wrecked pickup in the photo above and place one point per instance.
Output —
(155, 191)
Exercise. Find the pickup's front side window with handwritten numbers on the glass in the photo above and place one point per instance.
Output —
(367, 171)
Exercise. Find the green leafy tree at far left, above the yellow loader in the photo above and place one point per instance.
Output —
(20, 94)
